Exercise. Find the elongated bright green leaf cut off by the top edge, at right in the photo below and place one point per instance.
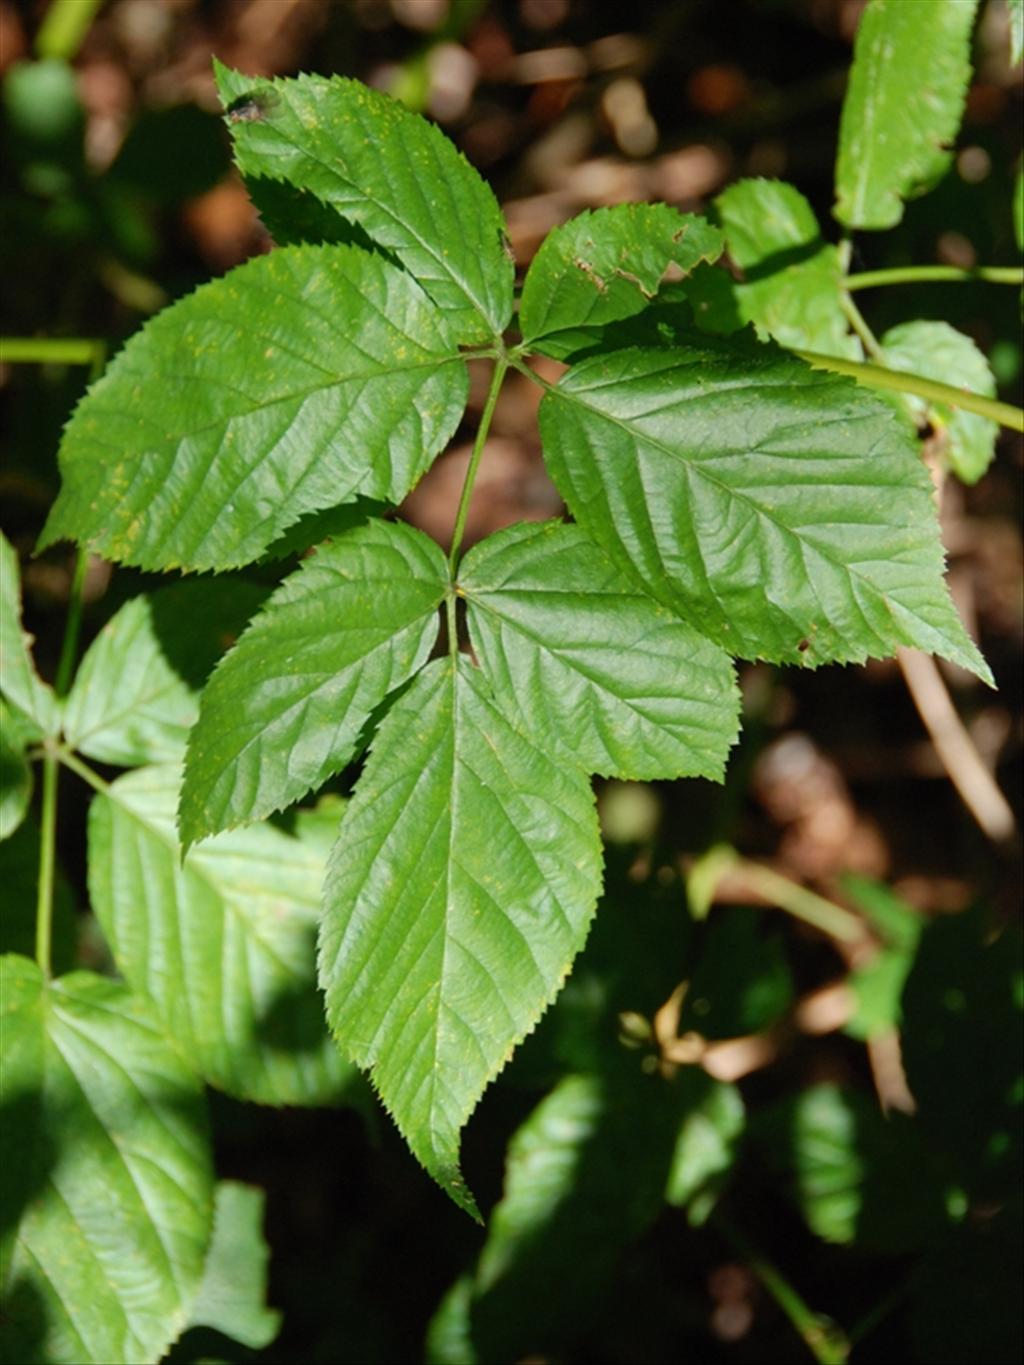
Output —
(903, 107)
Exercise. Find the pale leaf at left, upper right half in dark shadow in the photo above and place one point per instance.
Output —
(137, 691)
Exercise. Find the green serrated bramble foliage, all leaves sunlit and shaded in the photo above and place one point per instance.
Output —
(728, 500)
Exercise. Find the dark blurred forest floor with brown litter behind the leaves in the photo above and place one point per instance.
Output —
(118, 196)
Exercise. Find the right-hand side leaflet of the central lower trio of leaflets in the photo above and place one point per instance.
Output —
(593, 667)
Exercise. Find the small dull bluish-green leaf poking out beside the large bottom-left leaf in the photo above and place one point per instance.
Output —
(233, 1295)
